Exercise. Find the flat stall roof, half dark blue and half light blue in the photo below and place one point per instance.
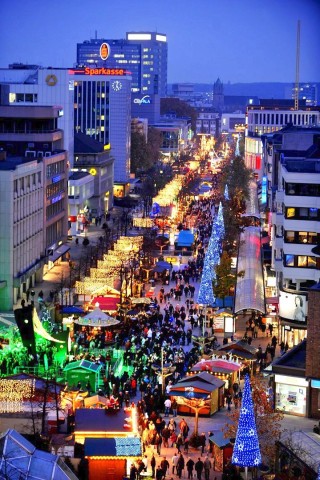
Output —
(113, 447)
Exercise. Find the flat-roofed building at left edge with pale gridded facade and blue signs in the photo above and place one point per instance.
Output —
(33, 197)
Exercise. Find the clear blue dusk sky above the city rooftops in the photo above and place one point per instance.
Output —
(247, 41)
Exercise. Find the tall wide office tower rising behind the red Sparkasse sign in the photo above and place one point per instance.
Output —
(143, 55)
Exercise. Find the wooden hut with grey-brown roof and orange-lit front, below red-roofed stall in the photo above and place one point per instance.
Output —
(200, 385)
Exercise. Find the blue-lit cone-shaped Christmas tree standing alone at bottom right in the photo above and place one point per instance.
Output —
(246, 450)
